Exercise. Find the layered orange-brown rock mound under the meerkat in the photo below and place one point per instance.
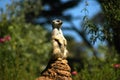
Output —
(56, 70)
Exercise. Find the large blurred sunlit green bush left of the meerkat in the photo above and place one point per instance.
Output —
(25, 54)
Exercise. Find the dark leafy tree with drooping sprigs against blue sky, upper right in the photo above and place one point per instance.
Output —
(109, 29)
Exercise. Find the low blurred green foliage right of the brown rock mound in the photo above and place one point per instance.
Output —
(98, 70)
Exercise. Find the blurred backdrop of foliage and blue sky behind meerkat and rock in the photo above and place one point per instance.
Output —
(25, 38)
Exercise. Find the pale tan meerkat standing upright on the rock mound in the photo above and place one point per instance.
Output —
(58, 40)
